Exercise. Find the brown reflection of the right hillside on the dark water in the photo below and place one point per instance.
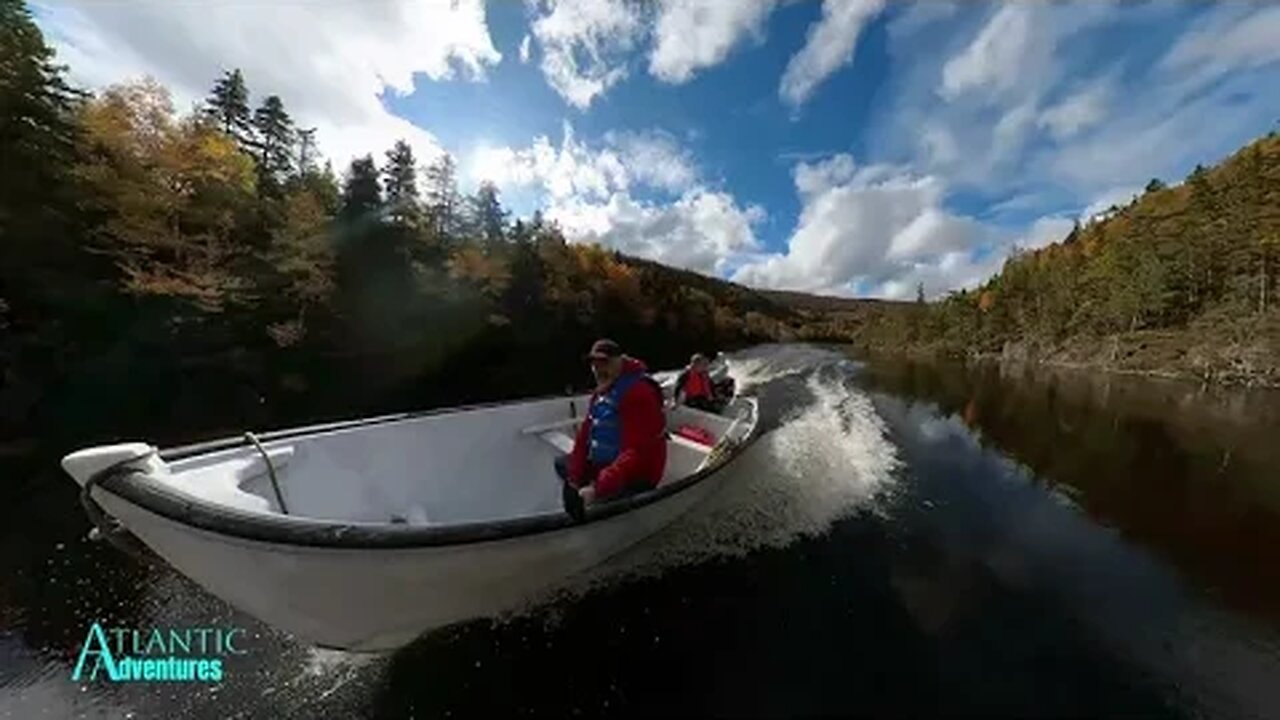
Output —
(1191, 473)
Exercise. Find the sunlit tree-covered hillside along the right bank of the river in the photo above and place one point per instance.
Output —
(1182, 284)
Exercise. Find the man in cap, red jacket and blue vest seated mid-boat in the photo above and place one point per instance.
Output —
(621, 446)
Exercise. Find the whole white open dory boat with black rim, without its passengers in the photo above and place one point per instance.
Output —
(362, 536)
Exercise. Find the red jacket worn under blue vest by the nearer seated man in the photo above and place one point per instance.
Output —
(644, 439)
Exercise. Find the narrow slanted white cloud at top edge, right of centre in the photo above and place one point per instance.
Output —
(829, 47)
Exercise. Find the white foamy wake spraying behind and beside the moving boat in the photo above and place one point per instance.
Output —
(826, 458)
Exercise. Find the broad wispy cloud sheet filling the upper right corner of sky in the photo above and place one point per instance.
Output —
(1030, 103)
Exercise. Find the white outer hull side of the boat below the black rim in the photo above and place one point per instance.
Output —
(382, 599)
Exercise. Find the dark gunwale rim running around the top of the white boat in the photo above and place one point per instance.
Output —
(127, 484)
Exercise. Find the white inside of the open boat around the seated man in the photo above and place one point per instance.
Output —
(470, 466)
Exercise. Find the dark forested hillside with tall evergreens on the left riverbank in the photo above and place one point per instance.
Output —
(172, 275)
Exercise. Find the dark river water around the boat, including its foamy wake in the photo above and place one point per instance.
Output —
(906, 540)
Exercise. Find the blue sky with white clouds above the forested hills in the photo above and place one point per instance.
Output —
(854, 148)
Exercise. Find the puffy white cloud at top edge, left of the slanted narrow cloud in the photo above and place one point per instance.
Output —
(693, 35)
